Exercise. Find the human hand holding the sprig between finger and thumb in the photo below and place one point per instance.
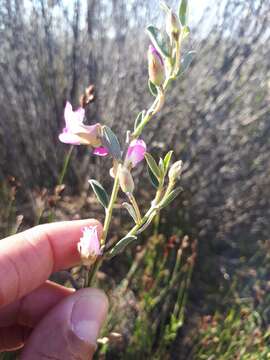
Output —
(49, 320)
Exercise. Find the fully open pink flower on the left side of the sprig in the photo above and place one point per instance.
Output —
(76, 133)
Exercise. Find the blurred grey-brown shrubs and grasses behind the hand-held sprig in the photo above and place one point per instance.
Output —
(199, 288)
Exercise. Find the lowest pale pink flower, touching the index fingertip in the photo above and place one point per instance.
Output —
(89, 245)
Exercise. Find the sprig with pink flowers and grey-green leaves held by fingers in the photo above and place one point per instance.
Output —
(165, 64)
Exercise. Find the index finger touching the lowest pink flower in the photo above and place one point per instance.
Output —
(27, 259)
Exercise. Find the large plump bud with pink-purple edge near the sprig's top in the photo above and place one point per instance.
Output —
(156, 67)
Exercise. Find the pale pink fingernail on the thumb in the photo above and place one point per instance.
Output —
(88, 315)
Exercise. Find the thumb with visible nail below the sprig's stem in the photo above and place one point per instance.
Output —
(70, 330)
